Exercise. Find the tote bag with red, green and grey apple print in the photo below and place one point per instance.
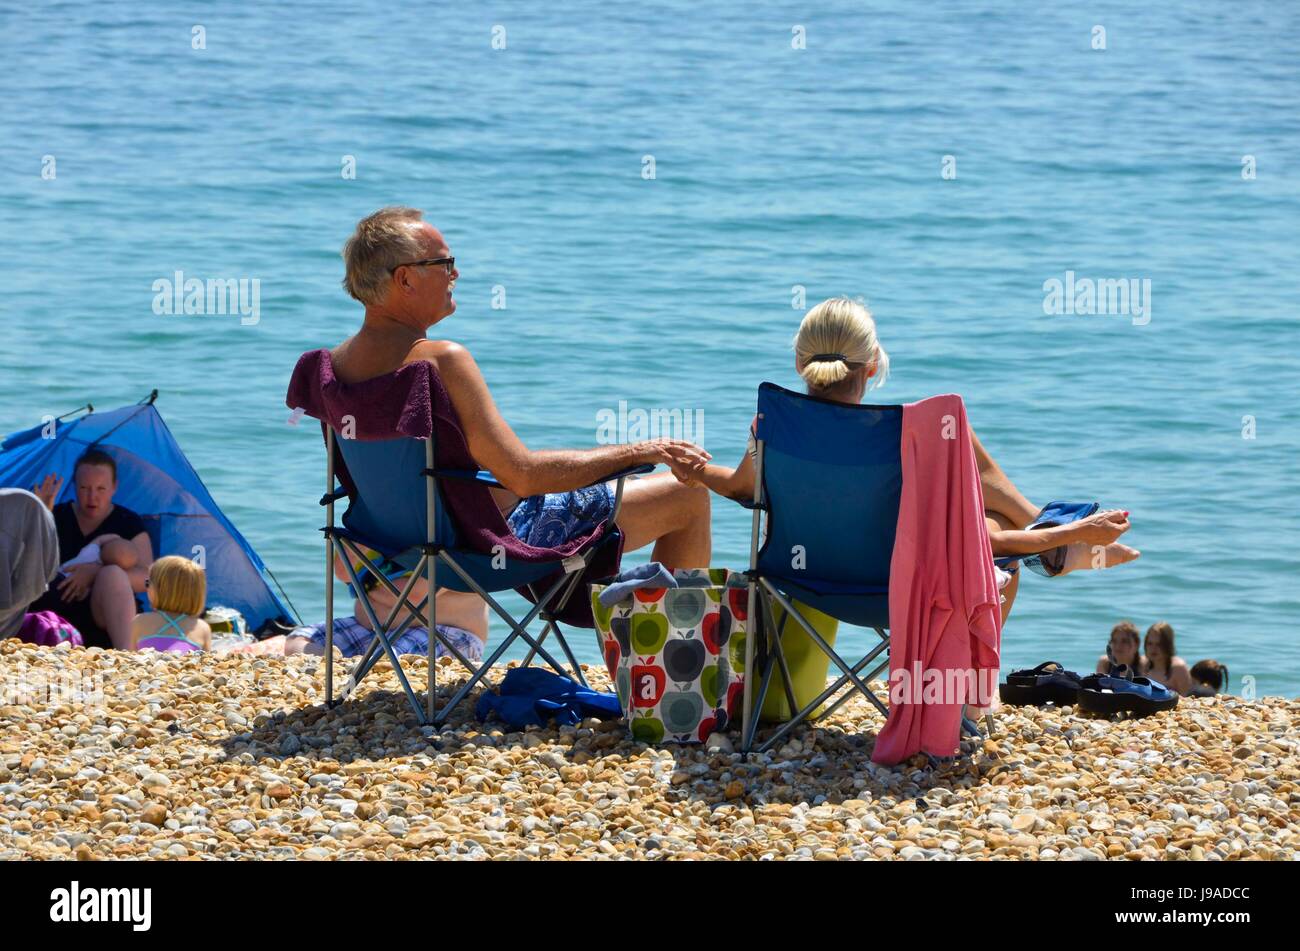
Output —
(677, 655)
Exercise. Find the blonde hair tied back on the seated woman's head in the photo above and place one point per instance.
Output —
(835, 338)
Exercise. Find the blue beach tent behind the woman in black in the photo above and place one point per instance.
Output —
(157, 481)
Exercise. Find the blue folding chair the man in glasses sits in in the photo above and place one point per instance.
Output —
(398, 510)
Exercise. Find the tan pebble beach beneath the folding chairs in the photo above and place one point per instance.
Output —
(141, 755)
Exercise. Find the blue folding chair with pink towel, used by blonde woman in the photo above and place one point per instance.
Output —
(829, 477)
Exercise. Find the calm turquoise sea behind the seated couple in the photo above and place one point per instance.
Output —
(1172, 157)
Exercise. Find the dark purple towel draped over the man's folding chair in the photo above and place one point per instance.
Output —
(410, 402)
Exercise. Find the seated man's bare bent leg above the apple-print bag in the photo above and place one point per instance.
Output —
(677, 518)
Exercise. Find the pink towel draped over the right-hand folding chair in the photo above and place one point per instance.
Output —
(944, 609)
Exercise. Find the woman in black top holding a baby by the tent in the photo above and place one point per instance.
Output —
(97, 596)
